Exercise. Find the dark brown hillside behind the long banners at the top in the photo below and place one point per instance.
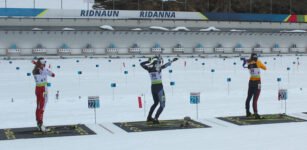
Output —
(233, 6)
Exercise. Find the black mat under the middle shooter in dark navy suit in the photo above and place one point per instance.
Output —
(163, 125)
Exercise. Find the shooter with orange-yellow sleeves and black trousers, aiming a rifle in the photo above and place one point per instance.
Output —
(254, 86)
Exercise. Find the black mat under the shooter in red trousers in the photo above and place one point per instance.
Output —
(56, 131)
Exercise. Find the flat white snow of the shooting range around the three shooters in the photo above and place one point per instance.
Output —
(215, 102)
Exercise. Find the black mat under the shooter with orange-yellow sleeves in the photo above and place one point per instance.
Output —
(268, 119)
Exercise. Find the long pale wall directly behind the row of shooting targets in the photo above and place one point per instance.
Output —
(146, 40)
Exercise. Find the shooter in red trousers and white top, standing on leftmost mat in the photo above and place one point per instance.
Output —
(40, 74)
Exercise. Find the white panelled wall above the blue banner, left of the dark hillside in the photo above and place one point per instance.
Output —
(51, 4)
